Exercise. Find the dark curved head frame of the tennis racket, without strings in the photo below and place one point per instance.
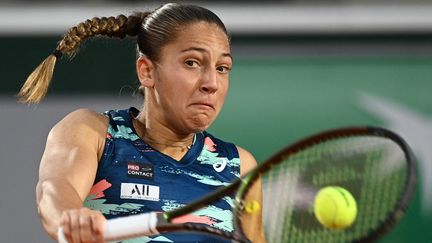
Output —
(402, 202)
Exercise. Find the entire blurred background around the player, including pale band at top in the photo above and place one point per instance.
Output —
(300, 67)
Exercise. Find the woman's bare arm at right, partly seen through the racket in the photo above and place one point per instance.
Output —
(252, 223)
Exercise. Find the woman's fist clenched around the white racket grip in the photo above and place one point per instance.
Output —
(83, 225)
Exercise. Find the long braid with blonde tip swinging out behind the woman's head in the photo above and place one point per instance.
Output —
(37, 83)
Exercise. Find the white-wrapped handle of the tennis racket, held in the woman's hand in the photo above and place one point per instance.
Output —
(124, 227)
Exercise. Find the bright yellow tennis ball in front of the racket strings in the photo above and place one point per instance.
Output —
(335, 207)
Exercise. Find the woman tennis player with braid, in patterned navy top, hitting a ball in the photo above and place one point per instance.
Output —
(101, 166)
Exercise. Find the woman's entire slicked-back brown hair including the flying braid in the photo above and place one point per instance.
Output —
(153, 29)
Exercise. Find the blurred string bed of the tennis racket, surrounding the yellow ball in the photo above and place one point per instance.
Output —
(373, 169)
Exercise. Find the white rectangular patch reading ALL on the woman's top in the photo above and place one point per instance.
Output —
(139, 191)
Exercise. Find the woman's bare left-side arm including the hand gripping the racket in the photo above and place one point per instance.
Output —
(67, 172)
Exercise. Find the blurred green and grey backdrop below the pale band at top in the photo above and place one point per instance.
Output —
(283, 88)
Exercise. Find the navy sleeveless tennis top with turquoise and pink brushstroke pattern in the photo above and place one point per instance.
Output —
(133, 178)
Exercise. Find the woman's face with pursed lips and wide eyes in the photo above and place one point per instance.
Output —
(189, 82)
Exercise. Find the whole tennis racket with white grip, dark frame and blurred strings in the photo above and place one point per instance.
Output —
(374, 164)
